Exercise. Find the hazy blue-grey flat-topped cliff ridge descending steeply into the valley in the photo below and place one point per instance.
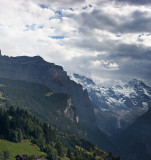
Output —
(35, 69)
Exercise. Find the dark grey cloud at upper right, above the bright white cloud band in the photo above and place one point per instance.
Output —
(137, 21)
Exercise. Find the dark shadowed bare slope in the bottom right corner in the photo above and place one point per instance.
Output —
(135, 140)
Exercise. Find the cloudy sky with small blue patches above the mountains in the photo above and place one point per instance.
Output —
(107, 40)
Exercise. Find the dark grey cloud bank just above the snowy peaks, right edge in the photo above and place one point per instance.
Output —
(133, 62)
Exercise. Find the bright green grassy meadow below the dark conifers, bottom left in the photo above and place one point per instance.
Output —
(20, 148)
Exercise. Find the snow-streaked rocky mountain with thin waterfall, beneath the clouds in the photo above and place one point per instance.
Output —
(118, 106)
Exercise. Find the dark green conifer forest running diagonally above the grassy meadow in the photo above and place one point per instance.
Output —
(17, 125)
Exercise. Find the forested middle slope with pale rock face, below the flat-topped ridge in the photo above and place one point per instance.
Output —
(39, 100)
